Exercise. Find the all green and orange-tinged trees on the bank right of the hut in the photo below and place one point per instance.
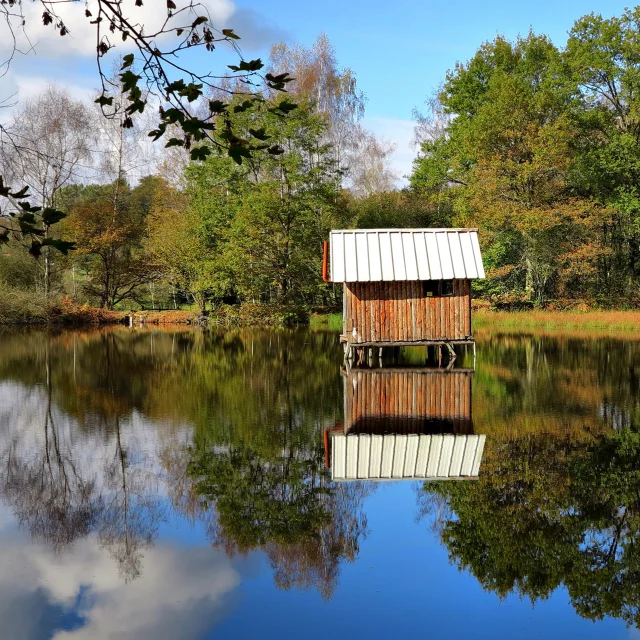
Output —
(539, 148)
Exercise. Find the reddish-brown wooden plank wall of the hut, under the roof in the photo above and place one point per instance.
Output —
(399, 311)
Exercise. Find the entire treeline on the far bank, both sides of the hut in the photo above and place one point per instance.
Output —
(536, 145)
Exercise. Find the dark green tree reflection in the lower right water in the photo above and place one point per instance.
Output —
(550, 511)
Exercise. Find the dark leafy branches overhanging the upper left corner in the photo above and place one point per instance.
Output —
(154, 74)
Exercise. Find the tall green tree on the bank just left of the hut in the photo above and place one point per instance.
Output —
(266, 219)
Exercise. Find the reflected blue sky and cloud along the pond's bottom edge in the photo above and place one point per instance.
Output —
(402, 582)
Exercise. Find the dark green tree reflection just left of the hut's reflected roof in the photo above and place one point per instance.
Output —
(285, 506)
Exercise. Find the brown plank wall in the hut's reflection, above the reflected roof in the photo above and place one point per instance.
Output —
(387, 401)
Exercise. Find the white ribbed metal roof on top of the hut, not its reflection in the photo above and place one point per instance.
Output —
(374, 255)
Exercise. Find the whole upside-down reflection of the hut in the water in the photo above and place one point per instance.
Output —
(405, 424)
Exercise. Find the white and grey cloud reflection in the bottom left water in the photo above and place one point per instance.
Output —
(180, 594)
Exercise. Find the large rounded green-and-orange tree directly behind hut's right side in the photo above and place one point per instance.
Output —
(506, 160)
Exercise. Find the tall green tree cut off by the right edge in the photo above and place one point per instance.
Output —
(601, 55)
